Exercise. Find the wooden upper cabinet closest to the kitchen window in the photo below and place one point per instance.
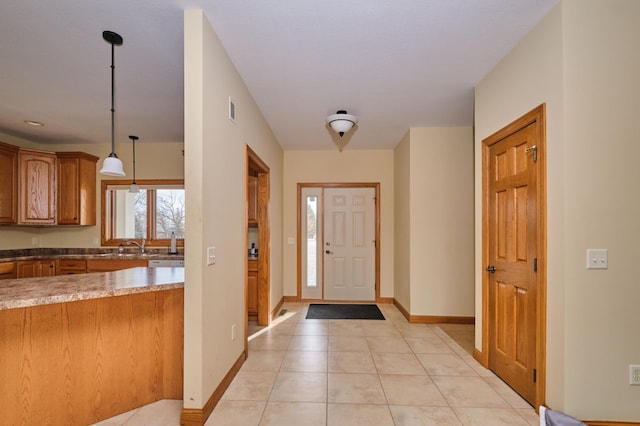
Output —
(76, 188)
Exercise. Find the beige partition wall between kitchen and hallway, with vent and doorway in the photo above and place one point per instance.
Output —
(215, 188)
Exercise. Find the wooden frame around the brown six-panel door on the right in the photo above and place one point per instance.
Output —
(538, 115)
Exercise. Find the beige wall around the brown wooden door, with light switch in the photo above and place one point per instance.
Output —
(582, 61)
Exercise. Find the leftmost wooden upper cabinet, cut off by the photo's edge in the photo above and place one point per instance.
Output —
(8, 183)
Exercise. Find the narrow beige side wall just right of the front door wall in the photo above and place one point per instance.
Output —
(402, 222)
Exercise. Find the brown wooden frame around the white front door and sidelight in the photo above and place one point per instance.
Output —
(376, 186)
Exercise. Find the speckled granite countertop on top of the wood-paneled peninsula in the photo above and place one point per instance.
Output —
(25, 292)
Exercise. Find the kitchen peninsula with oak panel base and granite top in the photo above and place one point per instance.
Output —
(77, 349)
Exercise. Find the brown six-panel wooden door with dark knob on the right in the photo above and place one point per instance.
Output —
(512, 179)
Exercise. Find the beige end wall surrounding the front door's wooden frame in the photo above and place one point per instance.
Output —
(335, 166)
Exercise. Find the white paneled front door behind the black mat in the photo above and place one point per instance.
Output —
(349, 244)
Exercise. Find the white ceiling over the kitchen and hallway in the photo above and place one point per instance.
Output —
(395, 64)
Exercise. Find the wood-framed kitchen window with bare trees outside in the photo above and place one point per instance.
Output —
(153, 213)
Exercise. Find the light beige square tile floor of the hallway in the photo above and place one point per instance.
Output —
(350, 372)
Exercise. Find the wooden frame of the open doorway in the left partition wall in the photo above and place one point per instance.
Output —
(254, 162)
